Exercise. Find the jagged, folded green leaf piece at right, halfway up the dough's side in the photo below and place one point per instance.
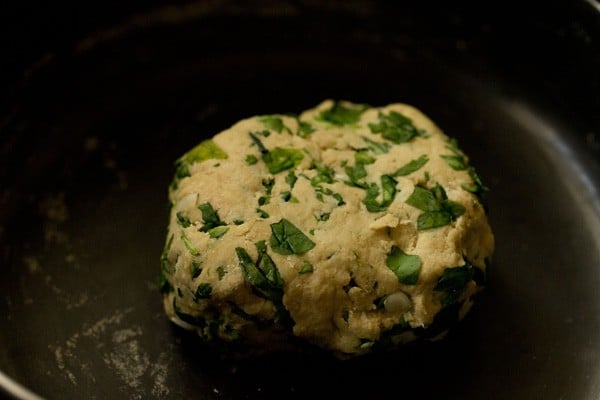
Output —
(438, 209)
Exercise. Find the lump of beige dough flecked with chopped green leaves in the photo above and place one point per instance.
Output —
(350, 228)
